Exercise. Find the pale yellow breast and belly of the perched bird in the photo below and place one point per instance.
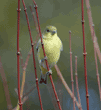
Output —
(52, 50)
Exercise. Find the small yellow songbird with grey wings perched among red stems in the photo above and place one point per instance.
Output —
(53, 47)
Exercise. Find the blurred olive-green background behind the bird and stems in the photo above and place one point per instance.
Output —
(65, 15)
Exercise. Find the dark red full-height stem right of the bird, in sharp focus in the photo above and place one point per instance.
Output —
(84, 54)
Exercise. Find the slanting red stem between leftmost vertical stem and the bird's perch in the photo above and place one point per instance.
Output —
(33, 54)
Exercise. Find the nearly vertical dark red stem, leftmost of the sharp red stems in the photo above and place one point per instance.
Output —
(18, 54)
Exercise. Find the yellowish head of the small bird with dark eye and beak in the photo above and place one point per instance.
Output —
(49, 32)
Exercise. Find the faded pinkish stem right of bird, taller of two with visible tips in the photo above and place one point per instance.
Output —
(71, 69)
